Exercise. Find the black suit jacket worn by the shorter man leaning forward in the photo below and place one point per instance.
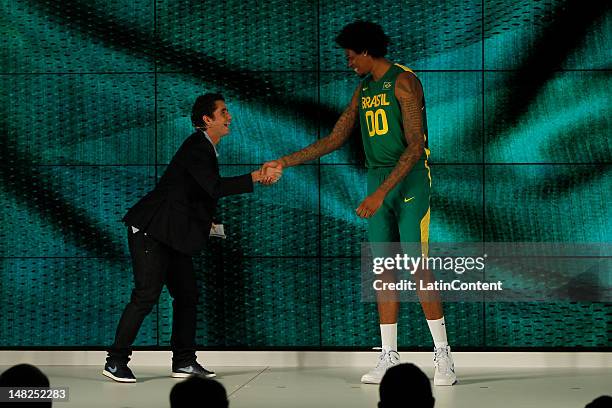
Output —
(179, 211)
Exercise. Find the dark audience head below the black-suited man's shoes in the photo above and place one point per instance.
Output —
(198, 391)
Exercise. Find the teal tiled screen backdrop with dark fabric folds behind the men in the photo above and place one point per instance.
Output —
(96, 97)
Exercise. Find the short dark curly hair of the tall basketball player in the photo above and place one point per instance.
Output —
(363, 36)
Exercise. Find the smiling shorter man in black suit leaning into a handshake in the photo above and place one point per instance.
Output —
(166, 228)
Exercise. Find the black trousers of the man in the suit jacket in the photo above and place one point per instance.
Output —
(155, 264)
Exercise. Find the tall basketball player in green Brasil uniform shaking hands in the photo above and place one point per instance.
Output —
(389, 106)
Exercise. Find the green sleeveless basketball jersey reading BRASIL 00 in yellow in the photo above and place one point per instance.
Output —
(380, 118)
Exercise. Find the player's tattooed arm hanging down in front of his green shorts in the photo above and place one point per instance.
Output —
(409, 93)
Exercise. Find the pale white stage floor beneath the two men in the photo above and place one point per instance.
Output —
(272, 387)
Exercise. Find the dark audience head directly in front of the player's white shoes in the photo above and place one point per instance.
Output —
(405, 385)
